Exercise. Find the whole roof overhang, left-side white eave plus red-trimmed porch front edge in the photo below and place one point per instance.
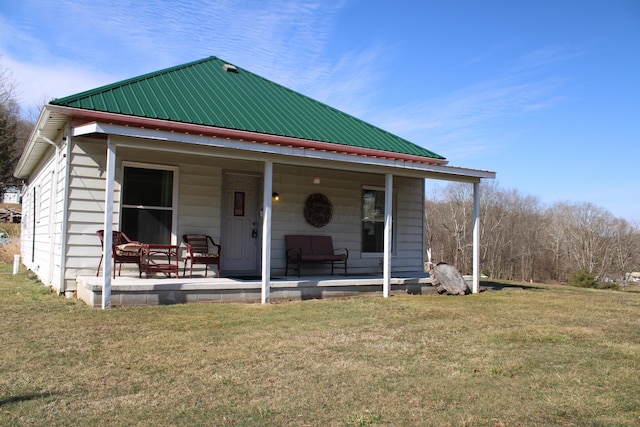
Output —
(53, 118)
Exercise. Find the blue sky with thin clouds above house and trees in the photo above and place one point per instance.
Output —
(545, 93)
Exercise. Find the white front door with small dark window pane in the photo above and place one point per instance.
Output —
(241, 223)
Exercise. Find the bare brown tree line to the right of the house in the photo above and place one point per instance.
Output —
(520, 239)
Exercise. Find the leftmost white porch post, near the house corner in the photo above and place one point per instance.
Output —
(108, 224)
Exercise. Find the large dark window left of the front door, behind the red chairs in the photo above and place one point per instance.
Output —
(148, 204)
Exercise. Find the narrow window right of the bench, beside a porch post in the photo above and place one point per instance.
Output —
(372, 220)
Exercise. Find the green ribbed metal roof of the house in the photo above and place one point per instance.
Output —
(204, 92)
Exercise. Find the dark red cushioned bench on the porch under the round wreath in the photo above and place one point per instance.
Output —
(313, 249)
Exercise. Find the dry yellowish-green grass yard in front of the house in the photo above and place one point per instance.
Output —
(533, 356)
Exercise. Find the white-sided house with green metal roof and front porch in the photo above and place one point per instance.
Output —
(203, 148)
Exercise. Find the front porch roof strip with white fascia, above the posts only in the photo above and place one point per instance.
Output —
(294, 152)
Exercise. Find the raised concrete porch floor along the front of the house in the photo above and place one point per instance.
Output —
(134, 291)
